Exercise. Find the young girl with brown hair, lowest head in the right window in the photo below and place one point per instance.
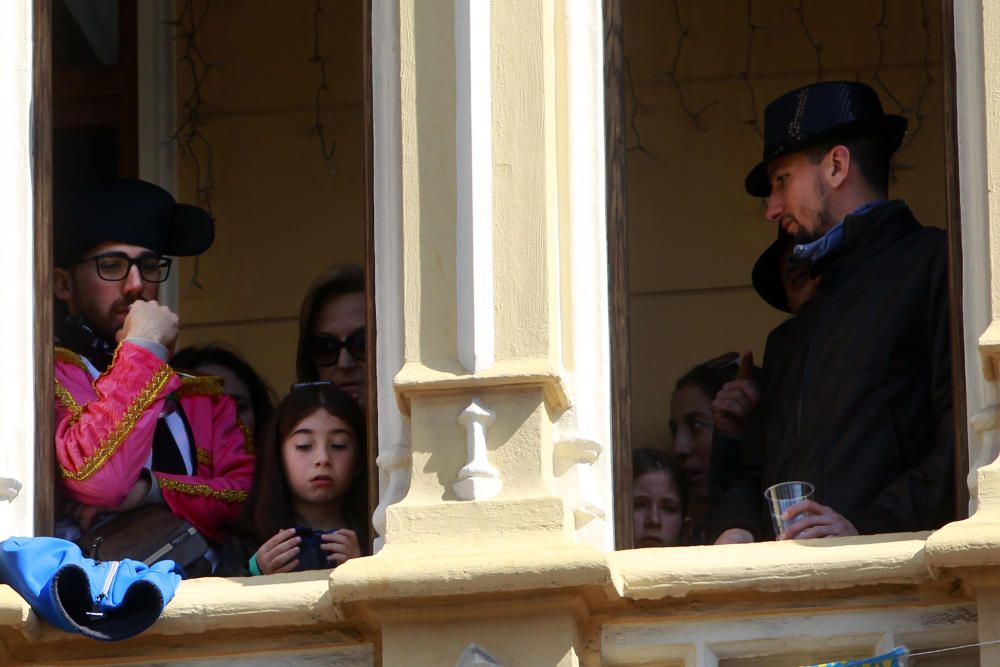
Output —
(659, 499)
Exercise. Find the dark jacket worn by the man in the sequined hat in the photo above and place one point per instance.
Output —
(857, 387)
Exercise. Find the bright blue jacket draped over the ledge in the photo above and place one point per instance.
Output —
(107, 600)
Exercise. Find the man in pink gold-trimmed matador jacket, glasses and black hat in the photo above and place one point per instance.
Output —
(129, 429)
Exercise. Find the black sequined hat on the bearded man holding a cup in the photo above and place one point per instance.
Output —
(817, 113)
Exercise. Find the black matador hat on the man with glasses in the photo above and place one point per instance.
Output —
(128, 211)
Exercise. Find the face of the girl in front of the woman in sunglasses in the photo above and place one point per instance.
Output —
(319, 459)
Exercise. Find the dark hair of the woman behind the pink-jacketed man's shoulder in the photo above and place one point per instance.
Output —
(254, 398)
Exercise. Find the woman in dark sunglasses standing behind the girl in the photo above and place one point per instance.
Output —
(332, 331)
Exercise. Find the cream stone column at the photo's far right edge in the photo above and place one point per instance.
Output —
(971, 548)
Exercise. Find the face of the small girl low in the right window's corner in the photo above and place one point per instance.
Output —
(656, 510)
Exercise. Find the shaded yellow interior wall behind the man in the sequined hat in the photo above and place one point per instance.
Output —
(694, 233)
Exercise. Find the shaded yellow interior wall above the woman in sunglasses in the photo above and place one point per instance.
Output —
(283, 214)
